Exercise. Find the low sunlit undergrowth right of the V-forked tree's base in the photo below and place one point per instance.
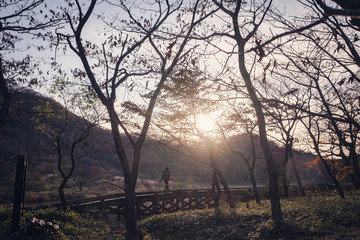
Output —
(316, 217)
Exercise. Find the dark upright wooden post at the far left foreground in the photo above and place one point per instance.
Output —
(19, 192)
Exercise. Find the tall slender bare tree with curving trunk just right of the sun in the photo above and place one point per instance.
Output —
(241, 35)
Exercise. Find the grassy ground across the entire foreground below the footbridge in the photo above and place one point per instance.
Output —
(324, 216)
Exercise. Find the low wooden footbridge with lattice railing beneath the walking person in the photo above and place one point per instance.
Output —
(147, 203)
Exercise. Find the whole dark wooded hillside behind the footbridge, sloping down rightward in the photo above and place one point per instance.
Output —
(98, 169)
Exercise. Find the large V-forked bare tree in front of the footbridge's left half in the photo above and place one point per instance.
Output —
(121, 58)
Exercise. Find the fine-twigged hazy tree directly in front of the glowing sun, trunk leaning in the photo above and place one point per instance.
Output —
(184, 99)
